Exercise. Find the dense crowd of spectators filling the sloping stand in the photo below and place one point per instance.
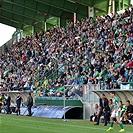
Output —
(86, 52)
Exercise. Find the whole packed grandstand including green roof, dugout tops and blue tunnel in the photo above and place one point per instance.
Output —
(67, 53)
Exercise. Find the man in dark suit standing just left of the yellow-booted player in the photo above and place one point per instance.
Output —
(104, 109)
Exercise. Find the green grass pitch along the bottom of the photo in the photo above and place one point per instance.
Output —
(25, 124)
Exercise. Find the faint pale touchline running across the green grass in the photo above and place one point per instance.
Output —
(59, 124)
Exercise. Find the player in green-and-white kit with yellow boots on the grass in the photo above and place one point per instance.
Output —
(116, 112)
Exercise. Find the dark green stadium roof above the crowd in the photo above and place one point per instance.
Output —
(20, 13)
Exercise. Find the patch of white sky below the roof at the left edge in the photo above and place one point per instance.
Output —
(5, 33)
